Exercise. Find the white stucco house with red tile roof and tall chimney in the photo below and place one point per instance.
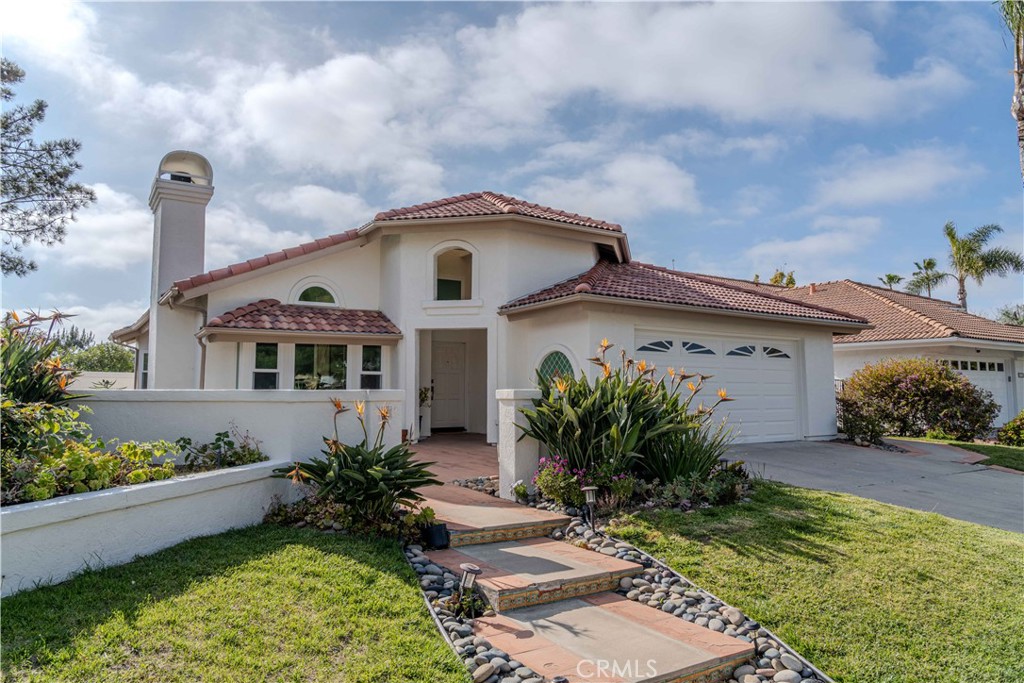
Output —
(453, 301)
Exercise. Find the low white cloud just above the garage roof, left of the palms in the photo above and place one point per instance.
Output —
(823, 254)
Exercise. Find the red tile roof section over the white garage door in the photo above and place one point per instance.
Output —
(643, 282)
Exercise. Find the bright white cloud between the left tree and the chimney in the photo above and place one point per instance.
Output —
(113, 234)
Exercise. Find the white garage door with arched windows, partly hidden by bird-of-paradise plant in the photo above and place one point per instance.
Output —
(760, 374)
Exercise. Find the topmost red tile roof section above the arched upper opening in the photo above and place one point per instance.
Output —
(491, 204)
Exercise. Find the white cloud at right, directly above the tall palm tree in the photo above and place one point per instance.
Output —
(864, 179)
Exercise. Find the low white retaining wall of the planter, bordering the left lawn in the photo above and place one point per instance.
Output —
(51, 541)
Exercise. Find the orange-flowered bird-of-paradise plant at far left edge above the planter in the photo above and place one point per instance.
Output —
(30, 372)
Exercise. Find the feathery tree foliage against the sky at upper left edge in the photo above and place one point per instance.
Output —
(38, 196)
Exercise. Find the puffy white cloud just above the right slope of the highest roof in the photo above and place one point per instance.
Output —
(628, 187)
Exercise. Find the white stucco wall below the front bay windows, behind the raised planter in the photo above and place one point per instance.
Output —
(289, 424)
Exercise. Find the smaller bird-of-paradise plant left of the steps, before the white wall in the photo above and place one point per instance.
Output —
(371, 481)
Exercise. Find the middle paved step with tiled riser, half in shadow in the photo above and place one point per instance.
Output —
(534, 572)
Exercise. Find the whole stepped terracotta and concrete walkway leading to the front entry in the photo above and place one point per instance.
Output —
(558, 612)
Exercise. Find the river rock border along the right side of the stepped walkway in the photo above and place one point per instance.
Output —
(662, 588)
